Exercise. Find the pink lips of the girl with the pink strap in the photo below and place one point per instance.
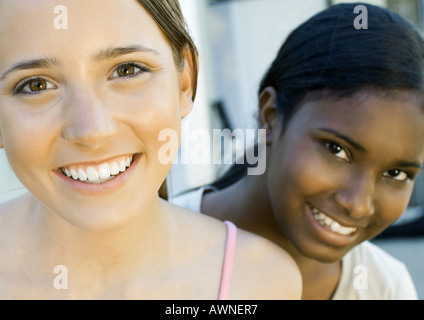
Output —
(101, 188)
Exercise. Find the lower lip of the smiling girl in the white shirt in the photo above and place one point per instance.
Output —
(328, 236)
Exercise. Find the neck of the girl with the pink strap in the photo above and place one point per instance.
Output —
(116, 252)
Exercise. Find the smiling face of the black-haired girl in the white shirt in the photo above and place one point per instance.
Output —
(344, 170)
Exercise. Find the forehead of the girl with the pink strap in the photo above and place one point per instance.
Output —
(30, 29)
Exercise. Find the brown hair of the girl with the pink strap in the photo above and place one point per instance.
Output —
(169, 18)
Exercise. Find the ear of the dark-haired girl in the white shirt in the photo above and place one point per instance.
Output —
(269, 118)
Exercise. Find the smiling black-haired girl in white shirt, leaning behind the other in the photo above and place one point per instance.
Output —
(343, 109)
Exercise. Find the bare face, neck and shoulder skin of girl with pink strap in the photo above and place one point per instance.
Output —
(96, 94)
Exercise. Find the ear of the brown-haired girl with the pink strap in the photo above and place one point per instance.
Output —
(188, 79)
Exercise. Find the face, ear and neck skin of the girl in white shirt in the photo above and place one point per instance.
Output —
(353, 159)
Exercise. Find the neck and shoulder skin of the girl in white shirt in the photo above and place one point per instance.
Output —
(319, 279)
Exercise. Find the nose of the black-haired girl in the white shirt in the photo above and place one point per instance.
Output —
(357, 195)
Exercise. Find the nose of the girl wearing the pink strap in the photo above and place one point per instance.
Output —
(88, 121)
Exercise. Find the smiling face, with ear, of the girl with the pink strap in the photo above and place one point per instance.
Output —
(84, 93)
